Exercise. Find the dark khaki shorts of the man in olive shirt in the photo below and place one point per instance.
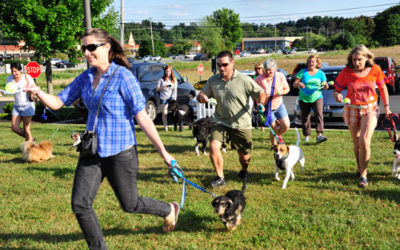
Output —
(241, 139)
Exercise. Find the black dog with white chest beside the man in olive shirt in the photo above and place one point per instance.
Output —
(181, 113)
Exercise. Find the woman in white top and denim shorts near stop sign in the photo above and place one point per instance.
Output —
(24, 108)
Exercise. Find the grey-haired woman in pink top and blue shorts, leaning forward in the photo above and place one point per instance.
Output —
(279, 116)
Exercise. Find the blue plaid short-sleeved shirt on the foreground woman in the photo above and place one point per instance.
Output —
(122, 100)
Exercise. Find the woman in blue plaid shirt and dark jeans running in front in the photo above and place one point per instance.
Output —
(116, 157)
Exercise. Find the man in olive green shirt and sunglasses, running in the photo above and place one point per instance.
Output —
(232, 91)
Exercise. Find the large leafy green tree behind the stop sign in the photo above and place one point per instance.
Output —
(52, 26)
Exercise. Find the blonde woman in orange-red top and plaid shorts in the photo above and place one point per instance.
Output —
(361, 77)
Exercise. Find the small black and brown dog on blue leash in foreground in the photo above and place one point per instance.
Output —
(230, 206)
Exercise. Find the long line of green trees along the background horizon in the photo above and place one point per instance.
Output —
(223, 30)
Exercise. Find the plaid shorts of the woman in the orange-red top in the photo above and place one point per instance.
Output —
(352, 114)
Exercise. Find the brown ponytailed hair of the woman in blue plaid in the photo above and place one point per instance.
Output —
(116, 52)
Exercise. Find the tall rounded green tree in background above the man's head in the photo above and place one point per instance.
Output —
(229, 22)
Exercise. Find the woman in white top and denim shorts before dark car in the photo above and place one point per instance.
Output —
(168, 88)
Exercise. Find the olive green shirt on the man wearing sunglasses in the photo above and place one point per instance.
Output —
(233, 107)
